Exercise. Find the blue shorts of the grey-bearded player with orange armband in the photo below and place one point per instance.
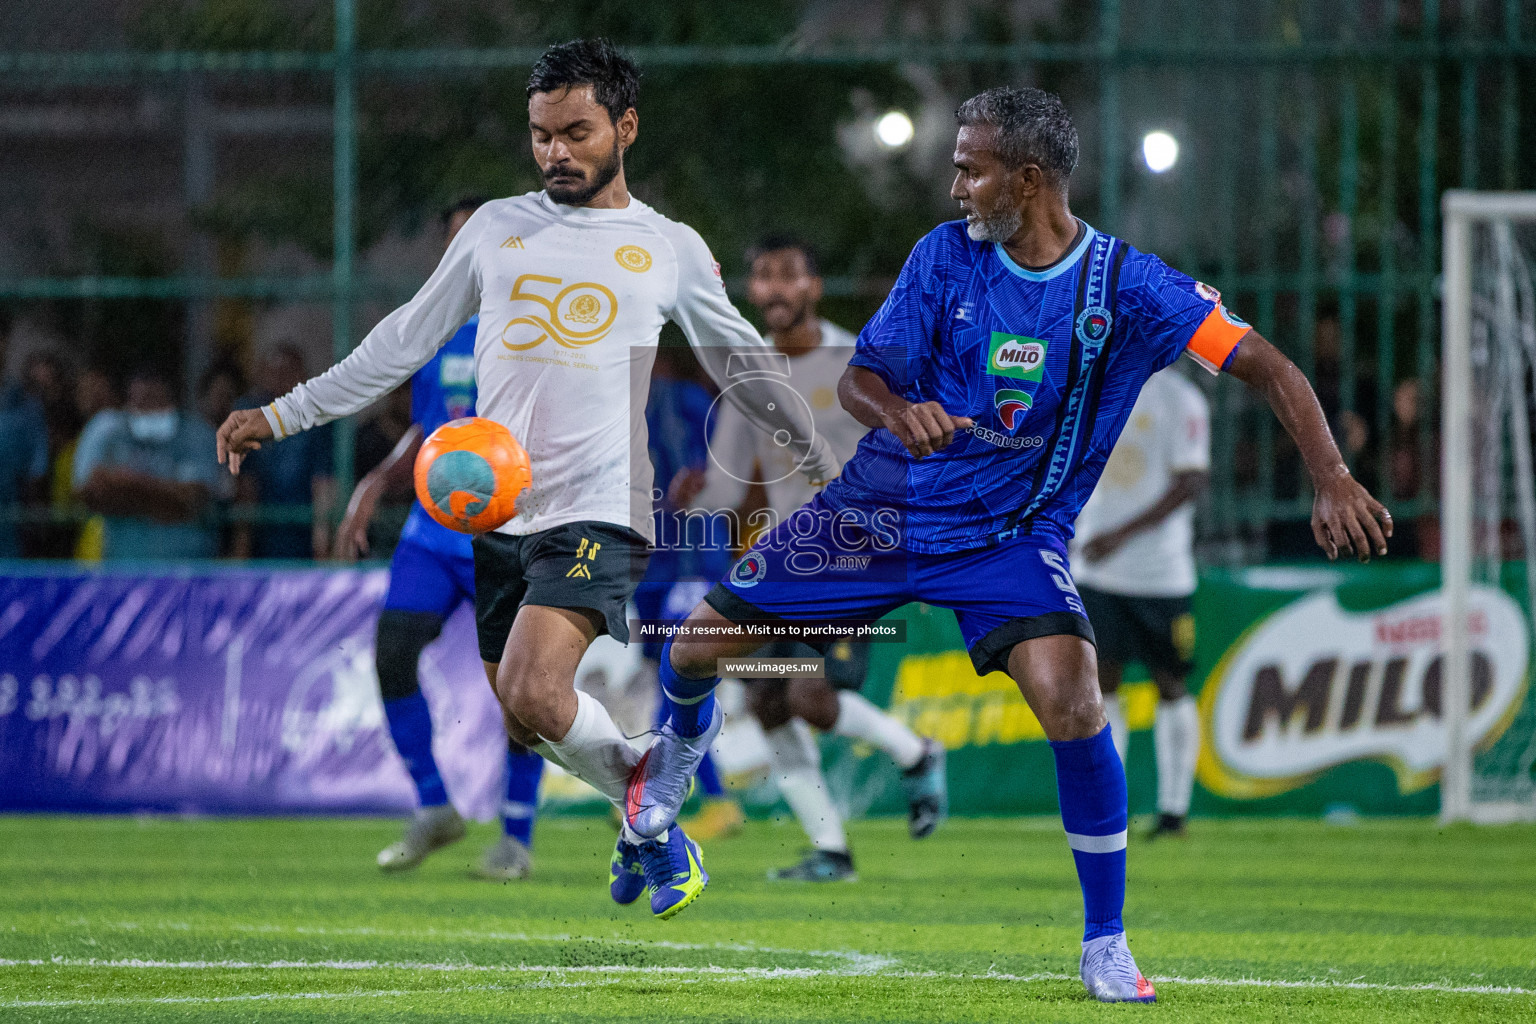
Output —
(826, 564)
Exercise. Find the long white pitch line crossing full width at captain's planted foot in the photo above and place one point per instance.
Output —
(737, 974)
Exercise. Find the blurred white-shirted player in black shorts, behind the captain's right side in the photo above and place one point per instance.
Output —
(1134, 566)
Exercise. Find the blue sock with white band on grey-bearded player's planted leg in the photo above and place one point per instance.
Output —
(1091, 785)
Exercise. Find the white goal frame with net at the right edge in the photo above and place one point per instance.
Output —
(1488, 495)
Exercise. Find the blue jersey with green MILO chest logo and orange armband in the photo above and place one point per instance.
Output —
(1048, 365)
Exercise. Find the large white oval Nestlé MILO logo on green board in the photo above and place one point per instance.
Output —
(1316, 685)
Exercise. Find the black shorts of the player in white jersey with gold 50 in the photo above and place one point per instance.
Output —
(580, 566)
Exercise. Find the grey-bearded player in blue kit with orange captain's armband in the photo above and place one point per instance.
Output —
(996, 380)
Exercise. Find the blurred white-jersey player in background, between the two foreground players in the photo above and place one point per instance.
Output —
(786, 285)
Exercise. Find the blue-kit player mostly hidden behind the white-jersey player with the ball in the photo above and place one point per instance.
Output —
(431, 575)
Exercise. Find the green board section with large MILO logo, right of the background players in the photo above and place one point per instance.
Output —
(1326, 687)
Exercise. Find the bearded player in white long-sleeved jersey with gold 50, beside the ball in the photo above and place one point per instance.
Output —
(572, 286)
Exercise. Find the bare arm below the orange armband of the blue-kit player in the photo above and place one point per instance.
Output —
(1345, 517)
